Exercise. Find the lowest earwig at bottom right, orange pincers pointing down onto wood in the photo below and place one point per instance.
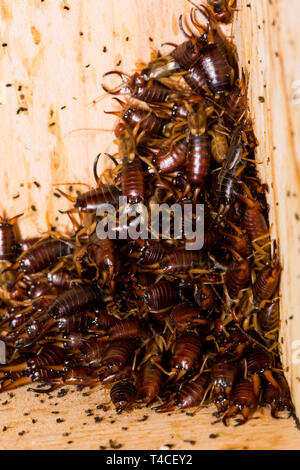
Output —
(242, 400)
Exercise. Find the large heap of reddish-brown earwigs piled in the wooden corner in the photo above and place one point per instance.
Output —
(155, 323)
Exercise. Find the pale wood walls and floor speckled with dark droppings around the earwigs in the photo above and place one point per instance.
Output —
(54, 61)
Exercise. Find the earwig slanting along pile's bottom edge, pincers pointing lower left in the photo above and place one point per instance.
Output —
(190, 394)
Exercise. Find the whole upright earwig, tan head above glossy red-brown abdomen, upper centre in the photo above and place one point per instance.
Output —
(199, 155)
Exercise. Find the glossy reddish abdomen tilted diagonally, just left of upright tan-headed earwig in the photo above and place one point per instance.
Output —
(169, 159)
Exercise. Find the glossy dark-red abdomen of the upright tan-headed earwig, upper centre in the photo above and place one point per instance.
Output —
(198, 162)
